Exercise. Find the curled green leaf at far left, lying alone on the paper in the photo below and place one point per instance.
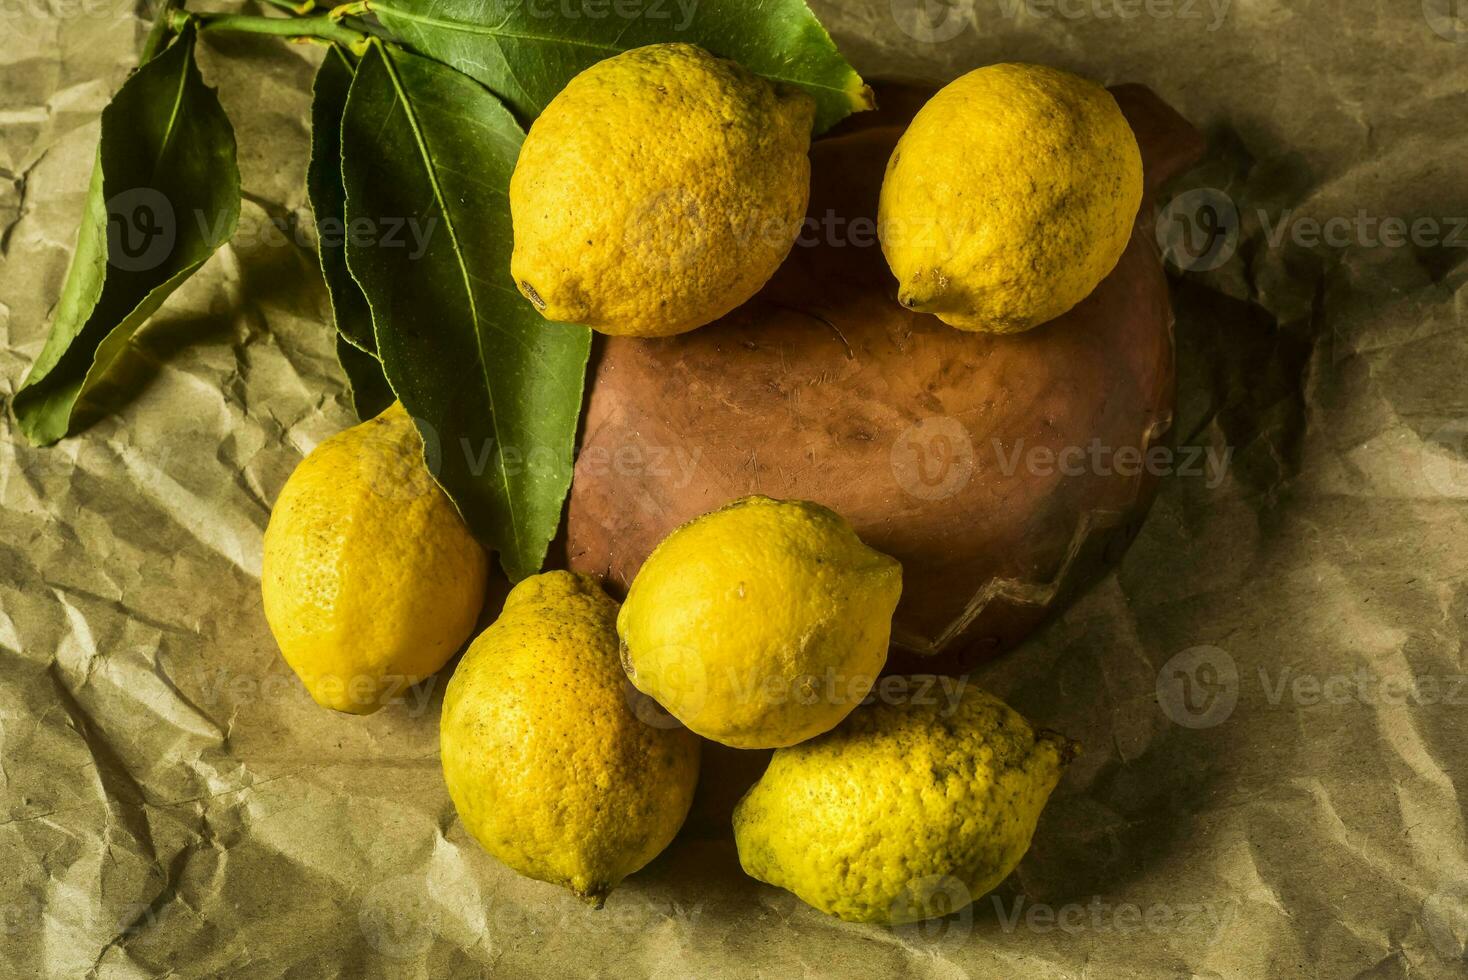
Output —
(164, 196)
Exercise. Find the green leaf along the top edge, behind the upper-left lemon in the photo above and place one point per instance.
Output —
(528, 51)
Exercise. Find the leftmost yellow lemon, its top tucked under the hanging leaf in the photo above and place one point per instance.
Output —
(371, 579)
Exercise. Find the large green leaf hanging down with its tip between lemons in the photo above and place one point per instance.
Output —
(495, 390)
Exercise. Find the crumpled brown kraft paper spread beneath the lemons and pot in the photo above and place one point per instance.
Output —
(1271, 690)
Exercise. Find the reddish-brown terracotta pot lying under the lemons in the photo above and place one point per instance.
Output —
(996, 469)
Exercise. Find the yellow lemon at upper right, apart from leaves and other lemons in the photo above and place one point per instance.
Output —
(1009, 199)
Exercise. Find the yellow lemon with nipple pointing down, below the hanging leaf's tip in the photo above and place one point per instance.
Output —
(547, 762)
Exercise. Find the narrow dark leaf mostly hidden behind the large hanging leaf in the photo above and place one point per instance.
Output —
(356, 345)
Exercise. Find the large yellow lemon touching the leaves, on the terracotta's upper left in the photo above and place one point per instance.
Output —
(658, 191)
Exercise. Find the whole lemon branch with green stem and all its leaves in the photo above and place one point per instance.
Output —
(418, 114)
